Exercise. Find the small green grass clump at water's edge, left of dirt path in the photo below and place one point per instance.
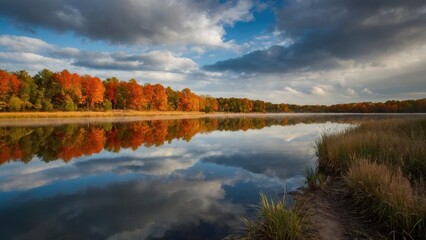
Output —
(273, 221)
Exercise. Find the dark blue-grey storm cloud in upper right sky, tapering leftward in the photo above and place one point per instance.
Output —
(336, 33)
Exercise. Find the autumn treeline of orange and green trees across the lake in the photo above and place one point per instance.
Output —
(65, 91)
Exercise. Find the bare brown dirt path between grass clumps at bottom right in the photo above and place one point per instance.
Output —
(329, 214)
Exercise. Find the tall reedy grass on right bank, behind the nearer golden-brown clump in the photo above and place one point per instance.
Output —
(399, 143)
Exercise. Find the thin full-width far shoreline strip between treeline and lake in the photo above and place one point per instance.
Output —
(12, 119)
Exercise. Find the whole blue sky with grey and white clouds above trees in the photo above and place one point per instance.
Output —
(283, 51)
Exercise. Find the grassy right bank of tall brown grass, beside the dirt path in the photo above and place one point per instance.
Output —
(383, 163)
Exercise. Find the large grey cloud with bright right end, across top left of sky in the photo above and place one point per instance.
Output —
(132, 22)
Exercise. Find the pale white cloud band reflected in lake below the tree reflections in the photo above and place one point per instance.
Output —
(150, 164)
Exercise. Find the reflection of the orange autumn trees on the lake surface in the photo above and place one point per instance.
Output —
(75, 140)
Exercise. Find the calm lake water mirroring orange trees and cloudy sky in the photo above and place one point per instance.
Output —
(161, 179)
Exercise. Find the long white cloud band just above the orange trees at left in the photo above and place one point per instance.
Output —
(35, 54)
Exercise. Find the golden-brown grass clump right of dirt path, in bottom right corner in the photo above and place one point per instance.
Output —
(387, 196)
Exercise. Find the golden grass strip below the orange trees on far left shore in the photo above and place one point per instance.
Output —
(118, 113)
